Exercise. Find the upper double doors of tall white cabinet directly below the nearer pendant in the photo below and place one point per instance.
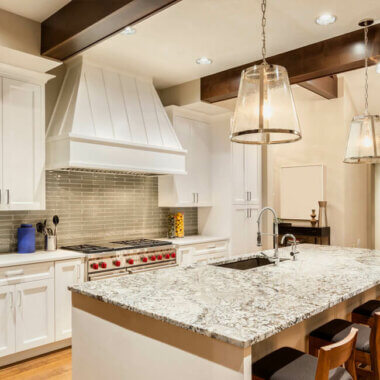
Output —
(246, 174)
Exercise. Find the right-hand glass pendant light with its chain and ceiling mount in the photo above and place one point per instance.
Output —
(363, 144)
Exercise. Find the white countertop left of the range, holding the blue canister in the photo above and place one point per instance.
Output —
(10, 259)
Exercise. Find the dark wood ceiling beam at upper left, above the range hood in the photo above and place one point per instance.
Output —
(82, 23)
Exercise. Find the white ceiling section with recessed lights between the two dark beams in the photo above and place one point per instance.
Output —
(166, 45)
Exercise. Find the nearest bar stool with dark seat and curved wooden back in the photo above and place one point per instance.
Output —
(290, 364)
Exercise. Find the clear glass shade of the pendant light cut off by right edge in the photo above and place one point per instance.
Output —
(363, 144)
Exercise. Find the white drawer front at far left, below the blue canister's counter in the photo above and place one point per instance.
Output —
(25, 273)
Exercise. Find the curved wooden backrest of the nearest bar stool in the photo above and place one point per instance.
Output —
(336, 354)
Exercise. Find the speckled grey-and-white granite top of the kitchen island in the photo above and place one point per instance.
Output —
(244, 307)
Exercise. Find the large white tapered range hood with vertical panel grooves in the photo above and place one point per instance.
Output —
(111, 121)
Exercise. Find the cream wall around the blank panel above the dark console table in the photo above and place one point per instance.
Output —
(325, 125)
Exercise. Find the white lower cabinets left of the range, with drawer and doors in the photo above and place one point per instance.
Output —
(35, 304)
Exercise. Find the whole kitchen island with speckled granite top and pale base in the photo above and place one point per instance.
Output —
(210, 322)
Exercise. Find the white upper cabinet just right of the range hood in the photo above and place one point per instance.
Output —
(194, 188)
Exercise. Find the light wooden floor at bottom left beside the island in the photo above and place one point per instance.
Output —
(54, 366)
